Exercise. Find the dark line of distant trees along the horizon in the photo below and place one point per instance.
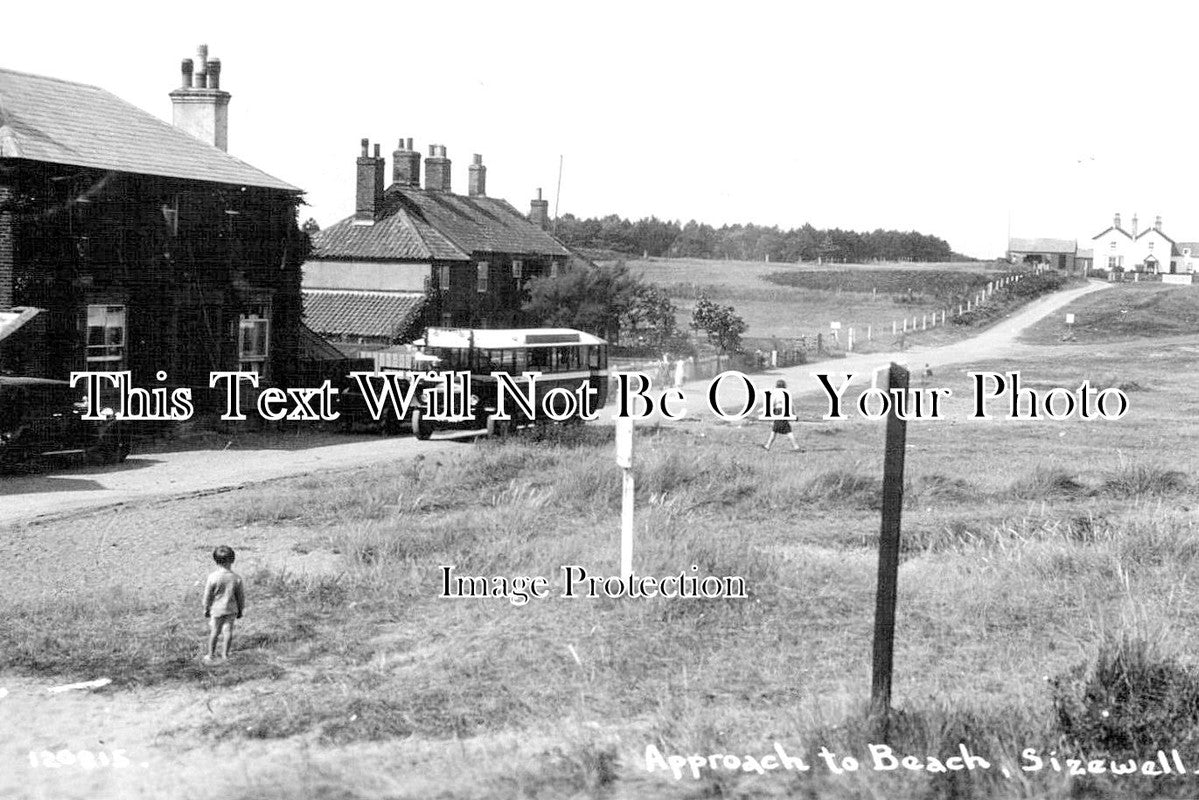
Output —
(751, 243)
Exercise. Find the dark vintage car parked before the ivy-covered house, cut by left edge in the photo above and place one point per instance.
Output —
(46, 418)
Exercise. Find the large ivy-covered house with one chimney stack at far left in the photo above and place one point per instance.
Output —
(146, 245)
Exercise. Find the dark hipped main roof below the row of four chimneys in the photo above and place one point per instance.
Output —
(418, 225)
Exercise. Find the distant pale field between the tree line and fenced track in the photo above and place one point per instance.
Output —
(791, 302)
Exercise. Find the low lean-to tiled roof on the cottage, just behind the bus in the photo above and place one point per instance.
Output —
(361, 314)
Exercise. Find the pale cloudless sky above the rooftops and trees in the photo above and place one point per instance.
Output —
(962, 121)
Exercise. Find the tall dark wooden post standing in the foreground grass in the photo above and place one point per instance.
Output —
(889, 552)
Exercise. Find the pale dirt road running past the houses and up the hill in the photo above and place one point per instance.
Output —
(161, 477)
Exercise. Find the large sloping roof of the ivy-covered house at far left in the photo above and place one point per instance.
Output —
(57, 122)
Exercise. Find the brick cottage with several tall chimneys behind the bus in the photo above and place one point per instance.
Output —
(413, 257)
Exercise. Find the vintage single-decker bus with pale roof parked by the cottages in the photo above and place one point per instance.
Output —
(565, 362)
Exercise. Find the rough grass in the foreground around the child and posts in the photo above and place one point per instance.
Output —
(1046, 584)
